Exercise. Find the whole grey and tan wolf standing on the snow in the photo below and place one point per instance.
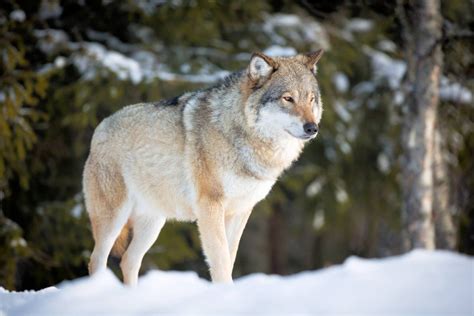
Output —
(206, 156)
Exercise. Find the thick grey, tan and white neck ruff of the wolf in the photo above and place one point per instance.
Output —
(233, 114)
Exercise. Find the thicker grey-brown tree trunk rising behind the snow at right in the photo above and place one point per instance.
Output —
(421, 22)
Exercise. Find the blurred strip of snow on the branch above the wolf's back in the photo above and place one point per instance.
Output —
(126, 61)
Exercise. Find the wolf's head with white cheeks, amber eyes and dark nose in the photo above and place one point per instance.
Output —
(284, 98)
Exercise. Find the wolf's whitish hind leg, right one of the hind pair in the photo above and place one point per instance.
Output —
(146, 229)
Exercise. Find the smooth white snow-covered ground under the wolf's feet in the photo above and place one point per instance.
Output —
(418, 283)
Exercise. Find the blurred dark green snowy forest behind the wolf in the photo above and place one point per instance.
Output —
(66, 65)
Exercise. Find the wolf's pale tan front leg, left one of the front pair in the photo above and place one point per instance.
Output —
(211, 225)
